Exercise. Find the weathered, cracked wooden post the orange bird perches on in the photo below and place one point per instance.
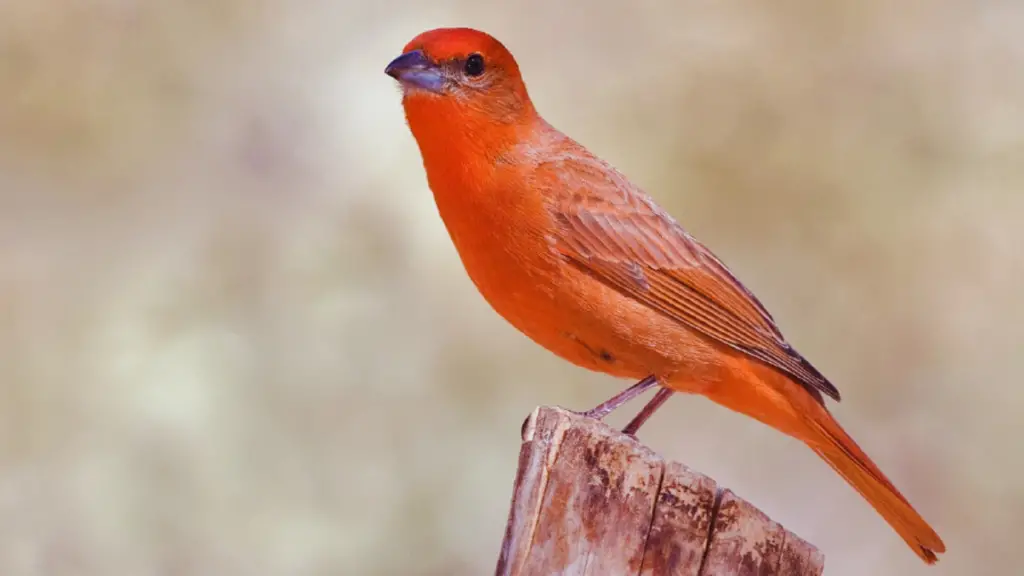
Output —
(589, 501)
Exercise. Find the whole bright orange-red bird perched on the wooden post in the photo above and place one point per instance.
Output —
(585, 264)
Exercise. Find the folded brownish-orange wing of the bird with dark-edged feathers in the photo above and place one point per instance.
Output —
(614, 232)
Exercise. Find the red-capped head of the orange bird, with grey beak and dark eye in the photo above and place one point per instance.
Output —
(463, 75)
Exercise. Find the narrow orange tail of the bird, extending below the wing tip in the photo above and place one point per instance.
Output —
(842, 454)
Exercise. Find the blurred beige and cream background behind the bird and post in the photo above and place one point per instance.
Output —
(235, 339)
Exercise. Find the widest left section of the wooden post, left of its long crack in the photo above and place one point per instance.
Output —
(587, 490)
